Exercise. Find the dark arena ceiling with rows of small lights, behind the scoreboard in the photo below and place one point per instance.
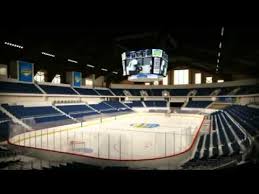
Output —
(187, 45)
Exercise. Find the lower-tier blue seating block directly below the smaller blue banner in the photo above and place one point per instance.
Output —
(77, 111)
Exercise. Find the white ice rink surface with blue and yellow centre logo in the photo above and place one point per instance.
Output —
(133, 136)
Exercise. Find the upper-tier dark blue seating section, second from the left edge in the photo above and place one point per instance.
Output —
(58, 90)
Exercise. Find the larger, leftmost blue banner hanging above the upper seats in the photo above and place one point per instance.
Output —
(25, 71)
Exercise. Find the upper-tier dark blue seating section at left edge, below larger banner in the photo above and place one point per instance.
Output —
(11, 87)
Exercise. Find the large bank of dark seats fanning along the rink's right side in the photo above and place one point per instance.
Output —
(227, 137)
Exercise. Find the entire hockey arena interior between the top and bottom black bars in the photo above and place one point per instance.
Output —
(180, 99)
